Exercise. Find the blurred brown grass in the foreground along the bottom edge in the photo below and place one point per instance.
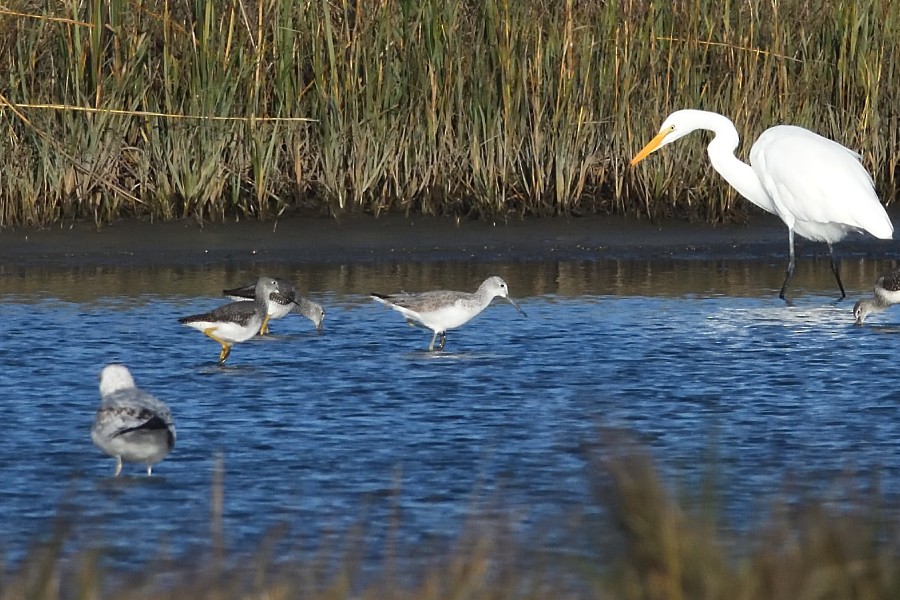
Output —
(643, 544)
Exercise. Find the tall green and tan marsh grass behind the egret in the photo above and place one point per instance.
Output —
(248, 108)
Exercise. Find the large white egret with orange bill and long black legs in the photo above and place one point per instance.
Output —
(815, 185)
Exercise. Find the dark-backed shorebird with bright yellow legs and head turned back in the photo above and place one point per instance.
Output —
(238, 321)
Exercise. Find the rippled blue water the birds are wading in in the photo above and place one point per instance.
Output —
(315, 434)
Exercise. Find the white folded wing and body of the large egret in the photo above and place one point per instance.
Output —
(812, 179)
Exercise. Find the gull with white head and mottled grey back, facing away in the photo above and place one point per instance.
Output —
(131, 425)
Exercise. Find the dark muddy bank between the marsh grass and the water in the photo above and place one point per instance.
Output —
(397, 238)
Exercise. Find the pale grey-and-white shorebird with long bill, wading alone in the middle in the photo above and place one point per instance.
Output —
(443, 310)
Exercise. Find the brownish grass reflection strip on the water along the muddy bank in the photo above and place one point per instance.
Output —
(657, 277)
